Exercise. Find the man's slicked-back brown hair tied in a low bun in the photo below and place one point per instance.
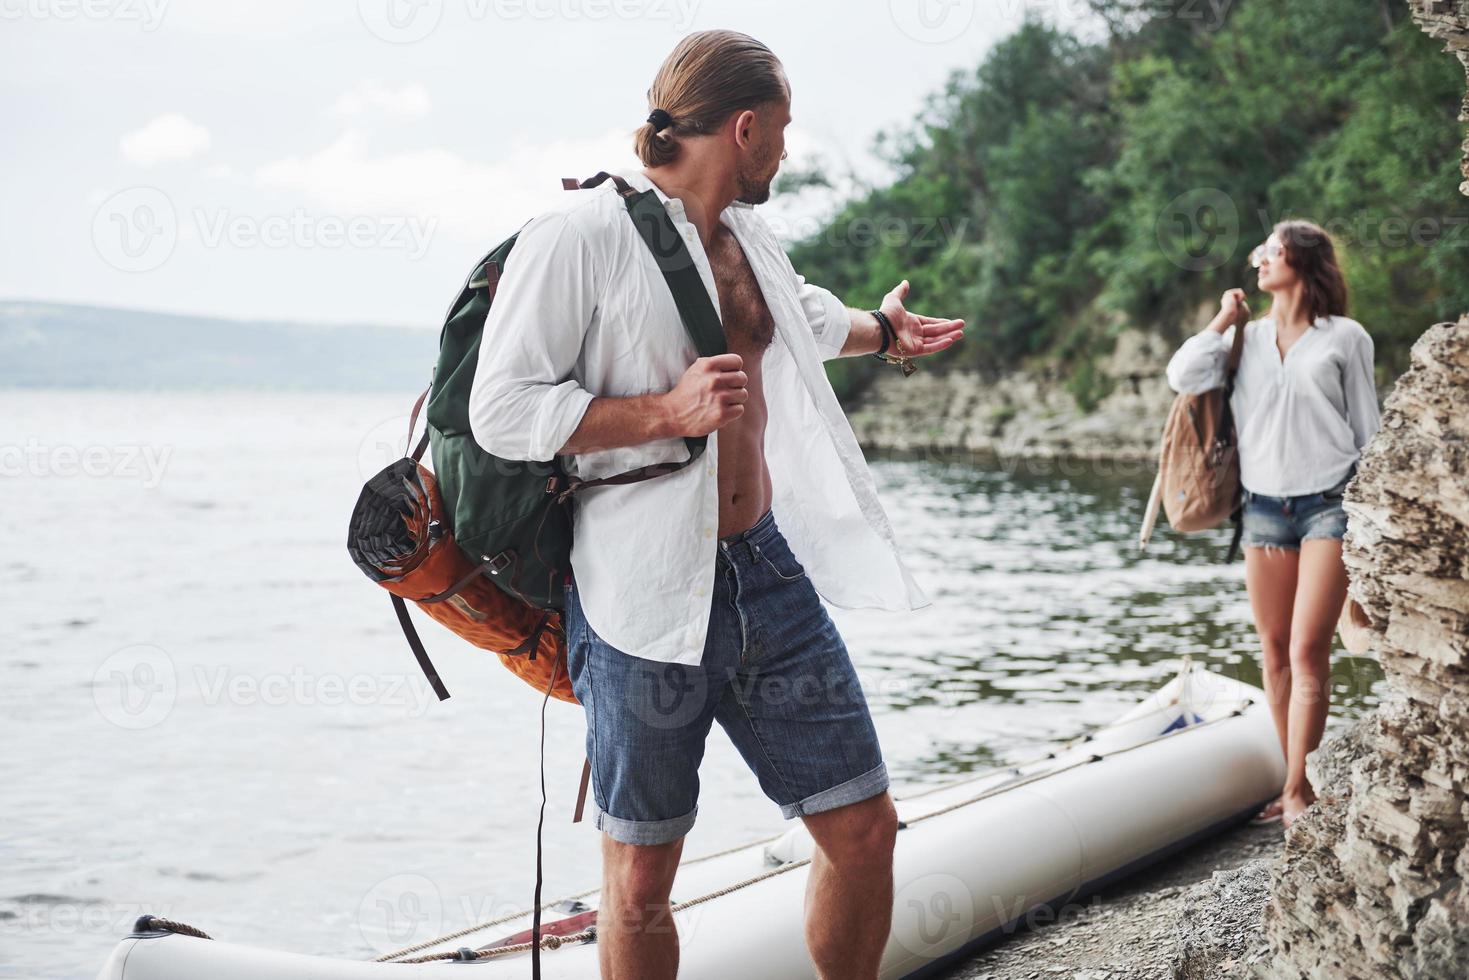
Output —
(709, 77)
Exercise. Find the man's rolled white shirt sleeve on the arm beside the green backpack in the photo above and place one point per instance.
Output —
(524, 403)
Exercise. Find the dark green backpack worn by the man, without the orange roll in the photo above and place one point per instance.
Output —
(512, 516)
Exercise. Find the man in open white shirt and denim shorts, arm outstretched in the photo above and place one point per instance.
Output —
(688, 603)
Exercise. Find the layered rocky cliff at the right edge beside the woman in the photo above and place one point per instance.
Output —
(1373, 881)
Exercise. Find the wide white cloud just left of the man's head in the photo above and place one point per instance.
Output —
(466, 198)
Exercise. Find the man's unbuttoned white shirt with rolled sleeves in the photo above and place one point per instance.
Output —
(584, 311)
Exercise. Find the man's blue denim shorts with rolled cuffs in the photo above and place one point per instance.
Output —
(775, 675)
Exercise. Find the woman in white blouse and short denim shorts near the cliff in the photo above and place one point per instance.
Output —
(1305, 405)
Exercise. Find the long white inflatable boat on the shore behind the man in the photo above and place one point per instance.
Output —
(975, 862)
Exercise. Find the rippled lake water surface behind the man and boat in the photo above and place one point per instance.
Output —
(212, 716)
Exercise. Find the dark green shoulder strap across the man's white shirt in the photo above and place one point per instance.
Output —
(699, 314)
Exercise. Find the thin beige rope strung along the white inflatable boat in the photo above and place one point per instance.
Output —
(588, 935)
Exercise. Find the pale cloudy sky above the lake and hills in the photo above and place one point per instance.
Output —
(347, 161)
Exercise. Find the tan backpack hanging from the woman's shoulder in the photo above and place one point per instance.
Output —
(1199, 461)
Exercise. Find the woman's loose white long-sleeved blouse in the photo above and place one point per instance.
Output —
(1302, 419)
